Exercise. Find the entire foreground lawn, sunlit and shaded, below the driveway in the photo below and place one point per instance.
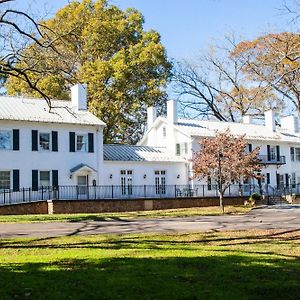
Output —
(226, 265)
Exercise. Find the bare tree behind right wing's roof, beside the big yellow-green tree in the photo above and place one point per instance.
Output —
(216, 85)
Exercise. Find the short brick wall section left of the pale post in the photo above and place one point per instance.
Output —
(40, 207)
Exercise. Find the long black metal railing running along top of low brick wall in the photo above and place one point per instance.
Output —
(136, 192)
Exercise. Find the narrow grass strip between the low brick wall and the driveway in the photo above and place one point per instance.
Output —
(169, 213)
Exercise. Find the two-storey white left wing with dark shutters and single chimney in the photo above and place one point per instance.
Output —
(39, 147)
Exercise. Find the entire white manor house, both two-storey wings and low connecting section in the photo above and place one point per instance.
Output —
(42, 148)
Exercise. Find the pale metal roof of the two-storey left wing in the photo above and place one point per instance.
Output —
(37, 110)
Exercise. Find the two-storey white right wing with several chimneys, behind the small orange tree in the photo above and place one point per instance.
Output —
(279, 146)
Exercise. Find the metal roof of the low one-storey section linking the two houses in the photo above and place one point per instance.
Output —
(112, 152)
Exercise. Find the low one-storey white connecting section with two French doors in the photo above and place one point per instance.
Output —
(151, 168)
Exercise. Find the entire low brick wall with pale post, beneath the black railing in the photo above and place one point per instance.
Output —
(99, 206)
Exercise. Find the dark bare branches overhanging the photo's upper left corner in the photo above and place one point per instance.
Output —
(18, 30)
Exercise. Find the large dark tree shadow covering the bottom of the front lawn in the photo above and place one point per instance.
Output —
(209, 277)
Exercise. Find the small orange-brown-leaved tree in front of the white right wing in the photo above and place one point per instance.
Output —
(224, 158)
